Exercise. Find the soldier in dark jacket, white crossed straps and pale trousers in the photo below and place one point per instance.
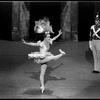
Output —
(94, 43)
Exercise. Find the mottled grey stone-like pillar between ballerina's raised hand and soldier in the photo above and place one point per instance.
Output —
(69, 22)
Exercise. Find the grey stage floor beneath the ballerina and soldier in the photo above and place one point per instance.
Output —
(69, 77)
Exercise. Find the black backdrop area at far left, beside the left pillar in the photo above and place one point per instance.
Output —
(5, 20)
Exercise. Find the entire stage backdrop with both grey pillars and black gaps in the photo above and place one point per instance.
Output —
(75, 18)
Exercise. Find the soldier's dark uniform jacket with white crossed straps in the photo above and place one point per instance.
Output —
(94, 33)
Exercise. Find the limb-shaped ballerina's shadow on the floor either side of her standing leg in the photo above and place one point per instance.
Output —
(47, 77)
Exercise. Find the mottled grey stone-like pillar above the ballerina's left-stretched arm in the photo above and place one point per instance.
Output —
(20, 20)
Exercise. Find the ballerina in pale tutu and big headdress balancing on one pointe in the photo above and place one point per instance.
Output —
(44, 56)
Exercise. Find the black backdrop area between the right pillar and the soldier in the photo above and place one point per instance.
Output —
(85, 19)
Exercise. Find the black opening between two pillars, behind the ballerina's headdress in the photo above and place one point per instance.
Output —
(52, 10)
